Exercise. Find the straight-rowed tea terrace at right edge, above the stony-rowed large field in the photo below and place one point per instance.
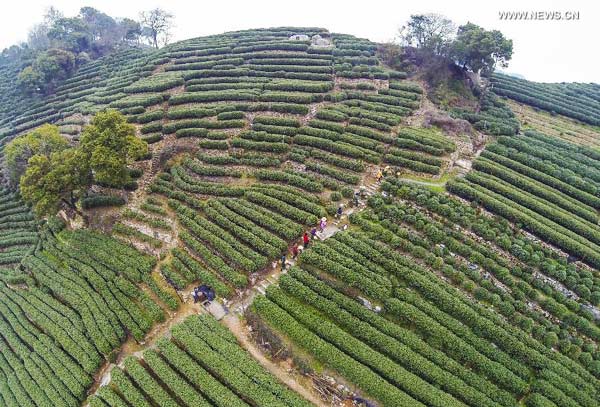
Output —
(547, 185)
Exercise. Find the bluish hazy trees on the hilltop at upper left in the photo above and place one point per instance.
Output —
(59, 44)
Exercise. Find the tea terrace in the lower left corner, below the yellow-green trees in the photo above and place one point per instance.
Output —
(76, 302)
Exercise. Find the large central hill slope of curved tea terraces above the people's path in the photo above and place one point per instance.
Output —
(271, 128)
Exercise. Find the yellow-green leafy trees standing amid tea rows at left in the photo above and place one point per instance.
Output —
(51, 173)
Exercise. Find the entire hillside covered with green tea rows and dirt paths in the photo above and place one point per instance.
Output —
(448, 255)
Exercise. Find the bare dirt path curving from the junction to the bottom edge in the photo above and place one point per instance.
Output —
(232, 322)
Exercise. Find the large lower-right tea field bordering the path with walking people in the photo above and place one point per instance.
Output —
(462, 322)
